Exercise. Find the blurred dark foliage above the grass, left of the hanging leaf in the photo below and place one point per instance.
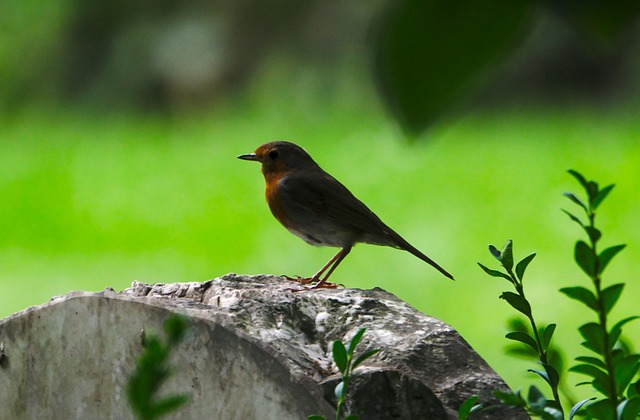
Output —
(155, 54)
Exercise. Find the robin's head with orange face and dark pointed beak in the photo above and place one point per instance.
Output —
(280, 157)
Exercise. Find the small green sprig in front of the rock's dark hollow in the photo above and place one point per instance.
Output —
(343, 358)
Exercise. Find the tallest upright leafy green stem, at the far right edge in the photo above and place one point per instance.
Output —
(613, 368)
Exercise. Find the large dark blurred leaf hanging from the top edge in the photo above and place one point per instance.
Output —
(423, 66)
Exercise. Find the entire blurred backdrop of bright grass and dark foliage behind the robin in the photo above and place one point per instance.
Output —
(121, 123)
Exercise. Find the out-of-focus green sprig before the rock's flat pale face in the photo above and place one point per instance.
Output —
(152, 370)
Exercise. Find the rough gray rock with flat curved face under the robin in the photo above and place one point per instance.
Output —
(255, 350)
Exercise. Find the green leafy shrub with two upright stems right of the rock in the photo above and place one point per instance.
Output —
(614, 367)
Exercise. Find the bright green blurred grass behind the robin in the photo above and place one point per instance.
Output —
(93, 199)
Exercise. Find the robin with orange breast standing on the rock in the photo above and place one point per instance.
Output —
(316, 207)
